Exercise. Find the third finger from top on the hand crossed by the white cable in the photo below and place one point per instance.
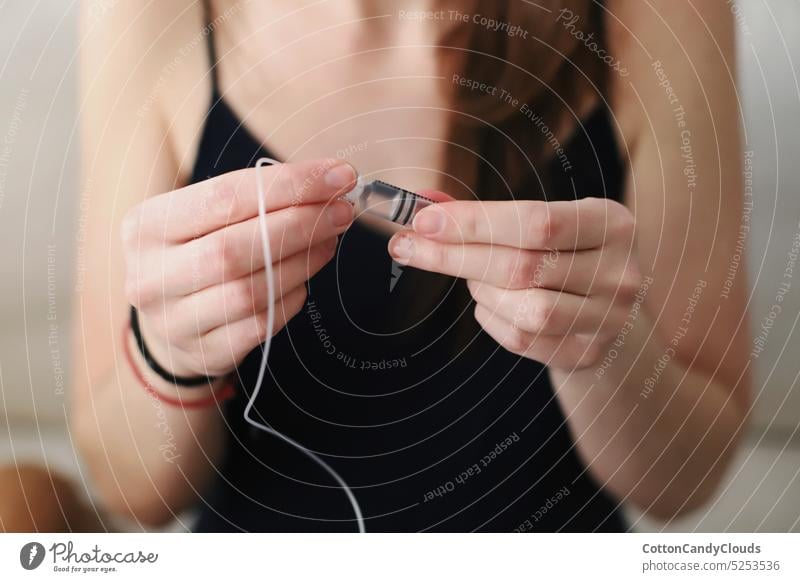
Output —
(200, 312)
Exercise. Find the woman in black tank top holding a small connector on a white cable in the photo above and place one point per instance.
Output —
(559, 336)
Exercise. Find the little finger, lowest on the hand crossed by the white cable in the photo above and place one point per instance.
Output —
(234, 341)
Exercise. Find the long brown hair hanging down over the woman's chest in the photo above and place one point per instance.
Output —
(537, 58)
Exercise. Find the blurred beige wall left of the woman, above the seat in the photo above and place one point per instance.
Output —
(37, 203)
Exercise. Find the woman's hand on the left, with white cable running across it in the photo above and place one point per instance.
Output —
(195, 270)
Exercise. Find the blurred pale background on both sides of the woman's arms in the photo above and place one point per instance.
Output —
(40, 231)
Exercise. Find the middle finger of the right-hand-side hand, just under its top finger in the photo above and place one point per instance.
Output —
(576, 272)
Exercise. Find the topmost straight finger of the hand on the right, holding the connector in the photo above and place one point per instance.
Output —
(527, 224)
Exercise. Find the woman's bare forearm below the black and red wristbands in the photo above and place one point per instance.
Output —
(149, 459)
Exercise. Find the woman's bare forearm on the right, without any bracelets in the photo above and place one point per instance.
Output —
(653, 431)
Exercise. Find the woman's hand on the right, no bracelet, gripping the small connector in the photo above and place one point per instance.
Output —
(553, 281)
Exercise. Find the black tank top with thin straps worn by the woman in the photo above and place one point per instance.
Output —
(428, 440)
